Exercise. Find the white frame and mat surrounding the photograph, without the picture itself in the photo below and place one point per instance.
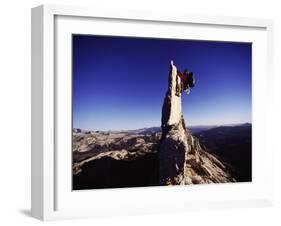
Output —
(51, 25)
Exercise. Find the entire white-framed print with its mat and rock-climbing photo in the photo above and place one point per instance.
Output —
(137, 112)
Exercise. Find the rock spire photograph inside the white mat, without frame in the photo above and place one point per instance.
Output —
(152, 111)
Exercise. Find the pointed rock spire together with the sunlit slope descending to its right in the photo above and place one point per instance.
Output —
(181, 158)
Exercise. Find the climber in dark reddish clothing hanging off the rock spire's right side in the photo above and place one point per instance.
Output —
(185, 81)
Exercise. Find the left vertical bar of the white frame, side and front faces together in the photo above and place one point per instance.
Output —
(42, 111)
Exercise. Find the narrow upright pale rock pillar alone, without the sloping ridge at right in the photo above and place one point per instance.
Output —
(173, 147)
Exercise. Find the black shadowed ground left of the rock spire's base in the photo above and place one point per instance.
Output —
(108, 172)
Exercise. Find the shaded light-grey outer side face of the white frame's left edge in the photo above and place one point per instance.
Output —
(37, 113)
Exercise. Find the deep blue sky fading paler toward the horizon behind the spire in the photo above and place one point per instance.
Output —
(120, 83)
